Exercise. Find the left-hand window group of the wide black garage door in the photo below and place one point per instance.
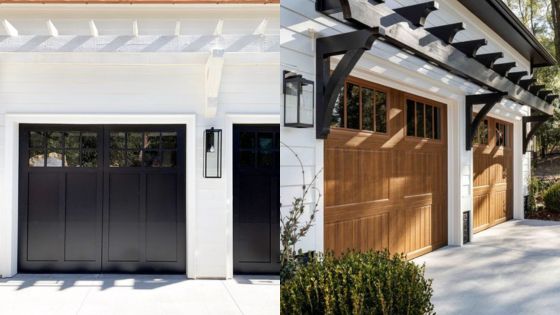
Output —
(62, 149)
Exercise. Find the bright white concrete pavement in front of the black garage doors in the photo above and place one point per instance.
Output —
(127, 294)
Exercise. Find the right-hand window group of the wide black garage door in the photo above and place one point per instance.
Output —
(143, 149)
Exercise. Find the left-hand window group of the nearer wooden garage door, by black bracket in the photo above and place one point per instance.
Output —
(361, 107)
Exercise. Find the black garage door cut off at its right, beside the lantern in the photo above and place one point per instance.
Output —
(256, 199)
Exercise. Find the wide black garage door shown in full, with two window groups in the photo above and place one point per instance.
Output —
(102, 199)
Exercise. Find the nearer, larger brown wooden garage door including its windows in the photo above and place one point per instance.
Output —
(385, 172)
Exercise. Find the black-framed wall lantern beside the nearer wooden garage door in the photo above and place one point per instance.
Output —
(299, 101)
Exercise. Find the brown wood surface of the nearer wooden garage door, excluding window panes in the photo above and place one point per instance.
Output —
(386, 190)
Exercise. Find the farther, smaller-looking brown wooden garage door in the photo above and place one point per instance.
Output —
(493, 183)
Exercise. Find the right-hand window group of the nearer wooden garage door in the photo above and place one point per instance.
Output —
(423, 120)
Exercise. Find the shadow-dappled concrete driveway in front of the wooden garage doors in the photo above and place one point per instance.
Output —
(513, 268)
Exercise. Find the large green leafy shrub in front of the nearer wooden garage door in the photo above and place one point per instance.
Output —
(357, 283)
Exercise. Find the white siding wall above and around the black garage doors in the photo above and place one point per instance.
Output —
(130, 82)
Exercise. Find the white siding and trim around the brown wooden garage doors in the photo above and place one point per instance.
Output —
(387, 65)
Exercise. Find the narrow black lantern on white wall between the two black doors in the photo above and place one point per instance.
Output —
(213, 153)
